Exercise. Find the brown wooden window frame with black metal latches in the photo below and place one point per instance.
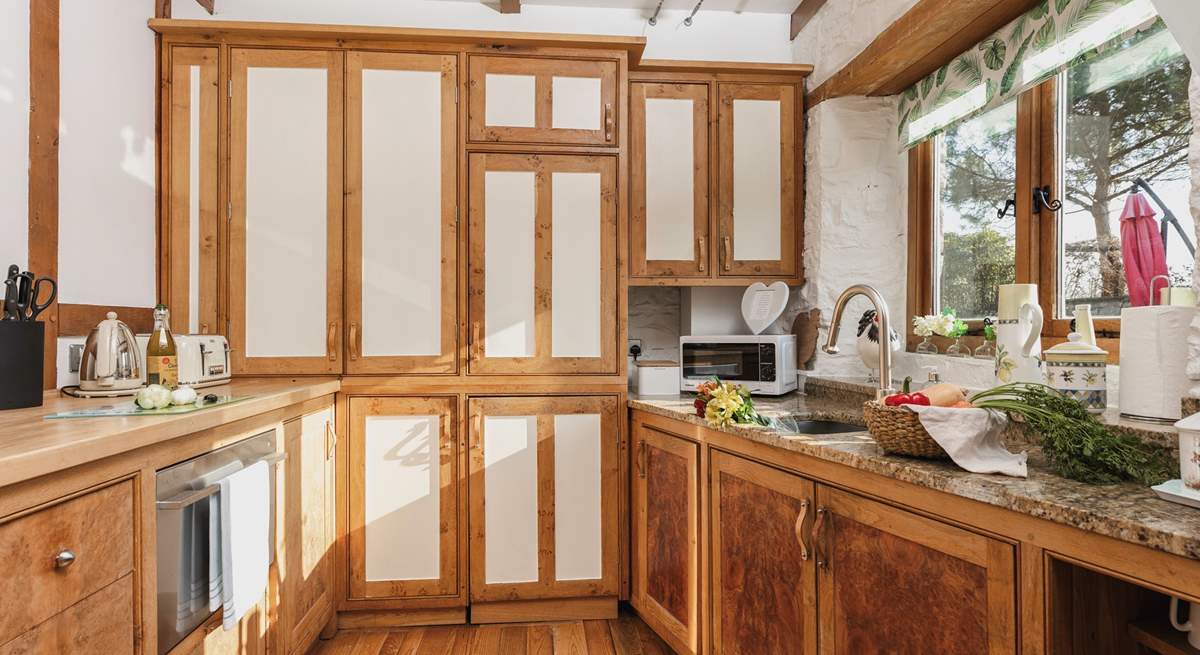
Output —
(1037, 235)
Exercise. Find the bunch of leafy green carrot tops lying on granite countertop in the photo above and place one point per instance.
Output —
(1077, 446)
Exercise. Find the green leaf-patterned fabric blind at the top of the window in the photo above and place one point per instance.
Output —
(1040, 44)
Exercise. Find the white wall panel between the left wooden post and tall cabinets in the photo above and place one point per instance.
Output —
(107, 153)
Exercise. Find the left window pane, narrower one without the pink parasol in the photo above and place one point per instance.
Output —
(976, 177)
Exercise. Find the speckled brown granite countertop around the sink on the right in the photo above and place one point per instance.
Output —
(1129, 513)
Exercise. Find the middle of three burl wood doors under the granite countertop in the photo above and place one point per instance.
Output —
(763, 567)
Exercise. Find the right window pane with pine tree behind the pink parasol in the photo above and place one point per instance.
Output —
(1125, 117)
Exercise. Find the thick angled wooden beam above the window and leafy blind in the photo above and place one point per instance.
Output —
(929, 35)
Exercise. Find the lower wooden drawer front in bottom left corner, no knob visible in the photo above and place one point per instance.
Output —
(101, 623)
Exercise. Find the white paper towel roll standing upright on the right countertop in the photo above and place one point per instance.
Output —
(1154, 358)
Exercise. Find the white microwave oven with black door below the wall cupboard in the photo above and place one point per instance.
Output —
(765, 364)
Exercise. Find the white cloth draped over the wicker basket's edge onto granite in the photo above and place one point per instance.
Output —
(974, 438)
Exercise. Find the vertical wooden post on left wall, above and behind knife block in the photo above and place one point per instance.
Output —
(44, 163)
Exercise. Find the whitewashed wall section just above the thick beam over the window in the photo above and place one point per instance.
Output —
(841, 31)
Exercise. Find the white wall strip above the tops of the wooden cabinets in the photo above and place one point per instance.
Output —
(713, 35)
